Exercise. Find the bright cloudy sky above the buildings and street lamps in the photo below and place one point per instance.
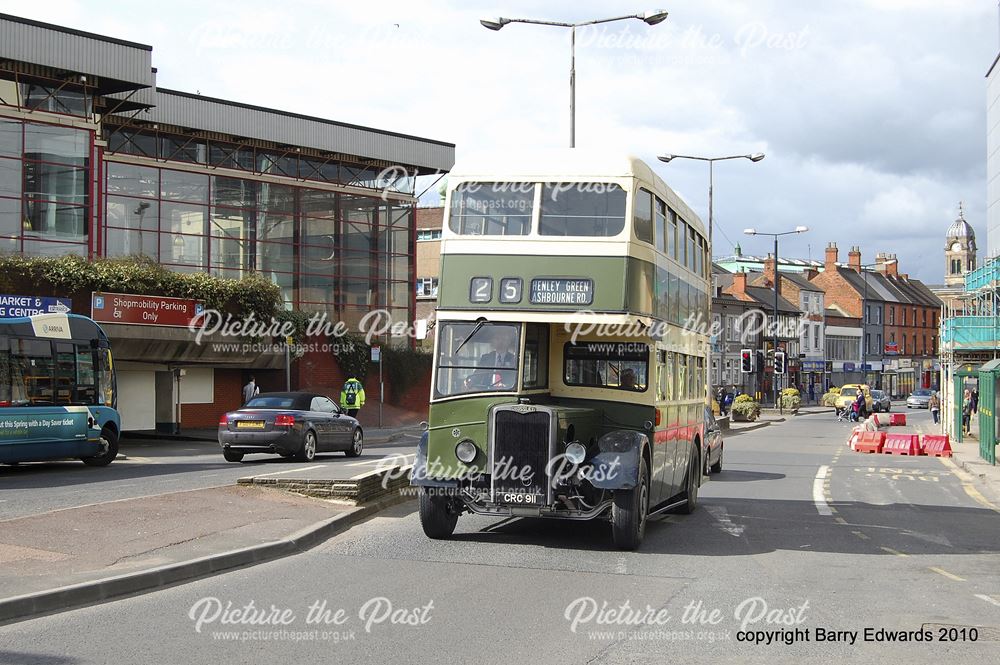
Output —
(872, 113)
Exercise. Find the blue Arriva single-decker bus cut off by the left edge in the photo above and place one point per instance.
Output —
(57, 391)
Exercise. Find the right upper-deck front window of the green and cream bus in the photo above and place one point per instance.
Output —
(582, 209)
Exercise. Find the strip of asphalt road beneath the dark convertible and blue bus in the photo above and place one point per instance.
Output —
(159, 467)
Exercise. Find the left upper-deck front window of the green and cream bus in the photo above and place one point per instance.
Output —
(492, 208)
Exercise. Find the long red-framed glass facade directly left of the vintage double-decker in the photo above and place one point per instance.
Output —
(344, 254)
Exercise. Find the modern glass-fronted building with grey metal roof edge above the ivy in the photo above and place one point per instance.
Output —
(96, 161)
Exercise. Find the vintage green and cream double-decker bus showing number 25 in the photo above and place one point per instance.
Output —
(566, 383)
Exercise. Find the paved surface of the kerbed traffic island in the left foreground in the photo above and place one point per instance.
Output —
(77, 545)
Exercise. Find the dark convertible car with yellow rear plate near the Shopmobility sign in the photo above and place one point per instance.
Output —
(295, 425)
